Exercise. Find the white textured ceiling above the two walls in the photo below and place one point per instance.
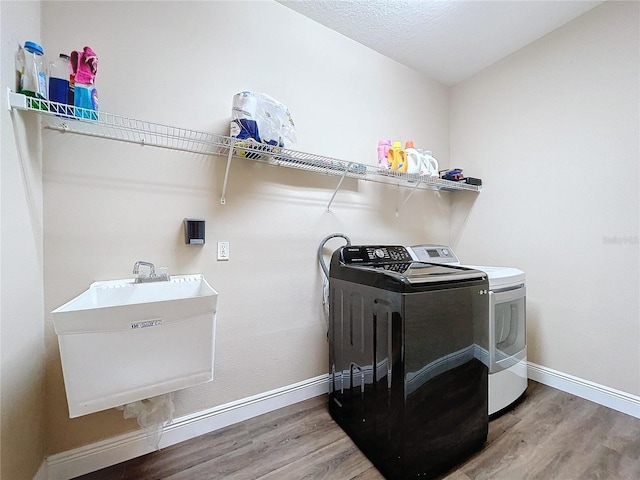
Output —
(447, 40)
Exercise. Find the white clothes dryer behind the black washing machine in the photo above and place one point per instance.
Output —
(507, 326)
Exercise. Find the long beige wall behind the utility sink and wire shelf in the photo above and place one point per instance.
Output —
(108, 204)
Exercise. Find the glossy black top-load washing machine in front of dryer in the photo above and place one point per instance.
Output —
(408, 358)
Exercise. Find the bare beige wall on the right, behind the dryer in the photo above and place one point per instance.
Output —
(553, 132)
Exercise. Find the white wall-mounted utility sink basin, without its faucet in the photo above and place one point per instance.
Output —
(122, 341)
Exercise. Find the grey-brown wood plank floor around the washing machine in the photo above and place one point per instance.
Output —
(549, 435)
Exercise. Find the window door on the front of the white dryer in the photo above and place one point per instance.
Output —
(507, 328)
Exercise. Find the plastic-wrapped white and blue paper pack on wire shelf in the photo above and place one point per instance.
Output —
(259, 117)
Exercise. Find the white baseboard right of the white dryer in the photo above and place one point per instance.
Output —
(609, 397)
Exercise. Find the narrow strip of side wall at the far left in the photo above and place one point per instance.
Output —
(22, 436)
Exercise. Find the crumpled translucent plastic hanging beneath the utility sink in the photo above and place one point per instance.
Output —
(152, 415)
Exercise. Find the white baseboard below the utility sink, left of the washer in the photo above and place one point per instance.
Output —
(89, 458)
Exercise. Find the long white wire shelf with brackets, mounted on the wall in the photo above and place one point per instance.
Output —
(66, 118)
